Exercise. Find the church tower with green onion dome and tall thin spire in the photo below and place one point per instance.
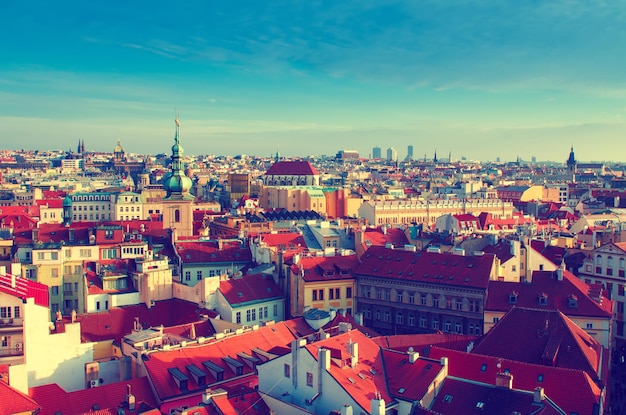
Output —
(177, 204)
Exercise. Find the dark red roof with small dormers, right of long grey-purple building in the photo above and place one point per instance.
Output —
(558, 295)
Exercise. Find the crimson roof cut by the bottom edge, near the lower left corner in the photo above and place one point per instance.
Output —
(53, 399)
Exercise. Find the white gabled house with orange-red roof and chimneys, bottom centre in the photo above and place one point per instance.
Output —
(349, 370)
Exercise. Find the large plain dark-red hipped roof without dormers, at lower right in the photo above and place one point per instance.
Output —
(545, 337)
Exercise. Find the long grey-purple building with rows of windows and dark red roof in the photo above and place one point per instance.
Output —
(405, 292)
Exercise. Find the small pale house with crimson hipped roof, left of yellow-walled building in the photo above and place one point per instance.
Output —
(250, 299)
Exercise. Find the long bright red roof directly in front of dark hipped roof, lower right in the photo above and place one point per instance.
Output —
(580, 395)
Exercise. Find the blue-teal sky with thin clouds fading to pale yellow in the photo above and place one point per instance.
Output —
(476, 79)
